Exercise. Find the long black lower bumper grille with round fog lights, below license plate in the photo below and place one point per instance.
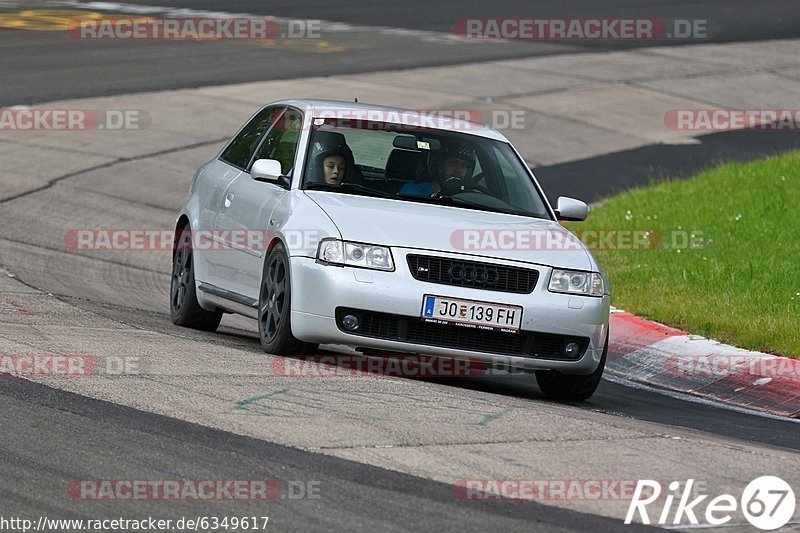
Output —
(417, 331)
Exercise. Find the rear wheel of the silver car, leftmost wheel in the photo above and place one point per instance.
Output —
(184, 309)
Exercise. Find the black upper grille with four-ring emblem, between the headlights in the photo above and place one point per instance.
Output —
(472, 274)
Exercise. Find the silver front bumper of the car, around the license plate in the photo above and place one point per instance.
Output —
(319, 289)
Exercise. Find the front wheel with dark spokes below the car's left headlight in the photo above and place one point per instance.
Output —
(274, 307)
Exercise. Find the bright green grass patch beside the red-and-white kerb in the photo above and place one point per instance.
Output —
(740, 283)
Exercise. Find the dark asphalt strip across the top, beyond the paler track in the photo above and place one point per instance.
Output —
(51, 65)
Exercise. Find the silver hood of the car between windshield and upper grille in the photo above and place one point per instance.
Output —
(452, 229)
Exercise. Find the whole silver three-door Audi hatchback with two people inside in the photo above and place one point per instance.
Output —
(391, 231)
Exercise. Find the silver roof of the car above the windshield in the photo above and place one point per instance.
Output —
(398, 115)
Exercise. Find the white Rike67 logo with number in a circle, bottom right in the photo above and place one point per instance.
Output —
(767, 503)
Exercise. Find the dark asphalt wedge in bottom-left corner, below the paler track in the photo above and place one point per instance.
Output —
(358, 497)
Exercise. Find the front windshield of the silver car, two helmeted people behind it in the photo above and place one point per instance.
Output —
(414, 164)
